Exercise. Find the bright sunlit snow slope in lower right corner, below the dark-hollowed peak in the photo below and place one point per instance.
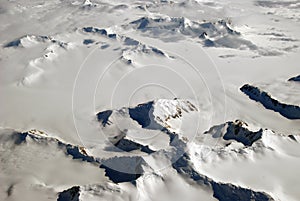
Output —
(256, 167)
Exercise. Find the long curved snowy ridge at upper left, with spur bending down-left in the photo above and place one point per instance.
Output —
(51, 49)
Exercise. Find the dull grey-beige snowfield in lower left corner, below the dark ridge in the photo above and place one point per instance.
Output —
(38, 169)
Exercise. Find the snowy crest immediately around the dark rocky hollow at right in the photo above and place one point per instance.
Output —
(238, 135)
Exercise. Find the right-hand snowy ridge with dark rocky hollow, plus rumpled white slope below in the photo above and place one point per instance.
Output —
(237, 139)
